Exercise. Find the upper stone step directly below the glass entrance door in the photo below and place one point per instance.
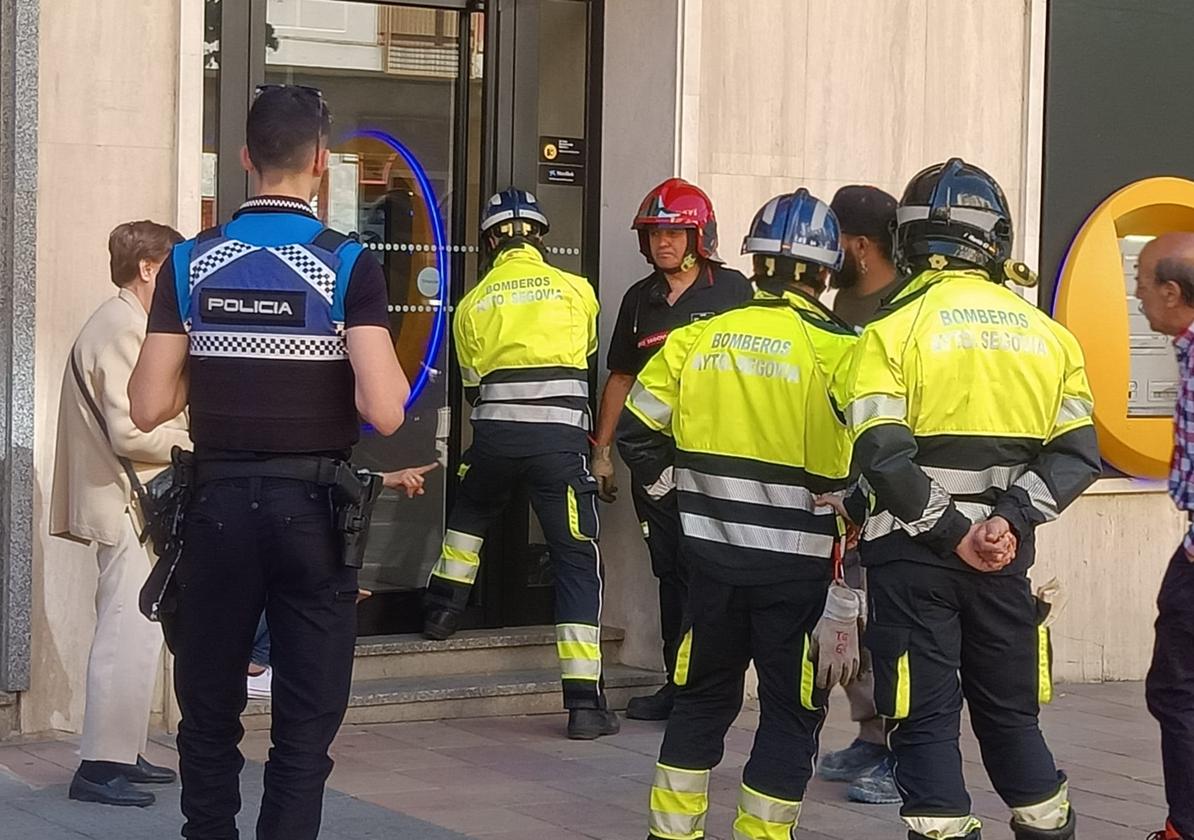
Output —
(470, 652)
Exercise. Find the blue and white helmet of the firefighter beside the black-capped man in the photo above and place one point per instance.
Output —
(799, 227)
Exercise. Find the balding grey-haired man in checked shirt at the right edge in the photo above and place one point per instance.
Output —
(1165, 286)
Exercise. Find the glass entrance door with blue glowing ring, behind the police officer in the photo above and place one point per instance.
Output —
(435, 107)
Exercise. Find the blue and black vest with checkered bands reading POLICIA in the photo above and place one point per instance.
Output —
(263, 302)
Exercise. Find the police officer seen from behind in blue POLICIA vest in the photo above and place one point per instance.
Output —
(274, 330)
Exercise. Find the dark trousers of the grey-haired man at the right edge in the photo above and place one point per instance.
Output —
(1171, 689)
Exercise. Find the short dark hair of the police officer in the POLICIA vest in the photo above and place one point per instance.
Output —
(284, 126)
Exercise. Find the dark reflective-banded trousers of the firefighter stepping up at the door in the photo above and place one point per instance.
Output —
(564, 496)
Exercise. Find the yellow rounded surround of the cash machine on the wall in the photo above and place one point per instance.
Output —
(1092, 301)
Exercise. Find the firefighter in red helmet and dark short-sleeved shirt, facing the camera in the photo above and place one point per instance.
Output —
(679, 237)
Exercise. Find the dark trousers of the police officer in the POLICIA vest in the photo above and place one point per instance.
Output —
(254, 543)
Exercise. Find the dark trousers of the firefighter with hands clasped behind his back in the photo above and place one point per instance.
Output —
(928, 626)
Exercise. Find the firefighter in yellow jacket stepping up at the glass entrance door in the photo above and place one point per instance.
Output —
(524, 337)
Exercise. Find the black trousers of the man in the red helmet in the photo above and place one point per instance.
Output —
(660, 521)
